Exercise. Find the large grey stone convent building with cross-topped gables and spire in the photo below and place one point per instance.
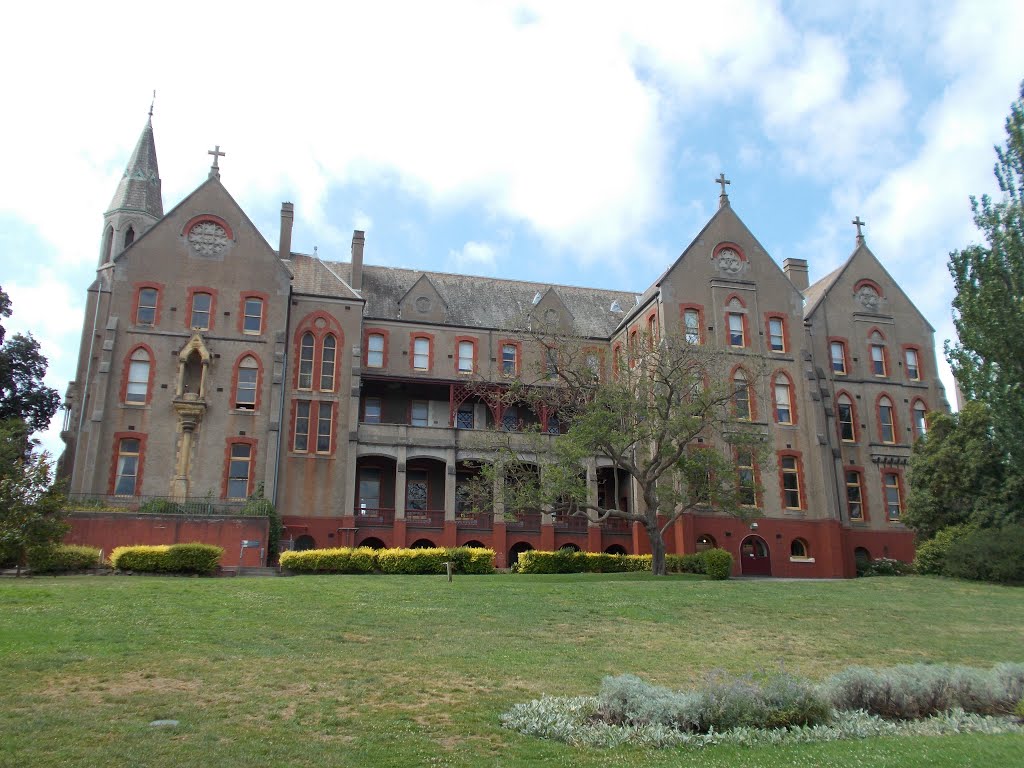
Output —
(214, 364)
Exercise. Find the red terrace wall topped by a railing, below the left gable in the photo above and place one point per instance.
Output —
(110, 530)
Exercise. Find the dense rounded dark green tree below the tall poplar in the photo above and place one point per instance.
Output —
(959, 476)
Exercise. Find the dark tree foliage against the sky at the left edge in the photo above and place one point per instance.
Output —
(23, 395)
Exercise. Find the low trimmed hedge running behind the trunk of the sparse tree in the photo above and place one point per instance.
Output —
(571, 562)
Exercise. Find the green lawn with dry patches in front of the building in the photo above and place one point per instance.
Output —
(319, 671)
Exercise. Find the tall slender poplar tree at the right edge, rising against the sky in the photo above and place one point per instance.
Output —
(989, 359)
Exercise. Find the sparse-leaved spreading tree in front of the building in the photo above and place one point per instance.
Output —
(665, 416)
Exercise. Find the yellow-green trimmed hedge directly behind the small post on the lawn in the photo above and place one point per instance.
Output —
(409, 562)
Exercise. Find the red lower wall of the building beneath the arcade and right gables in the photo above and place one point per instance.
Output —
(830, 546)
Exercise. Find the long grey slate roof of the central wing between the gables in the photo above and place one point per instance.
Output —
(478, 303)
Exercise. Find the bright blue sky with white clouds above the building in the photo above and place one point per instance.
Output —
(575, 142)
